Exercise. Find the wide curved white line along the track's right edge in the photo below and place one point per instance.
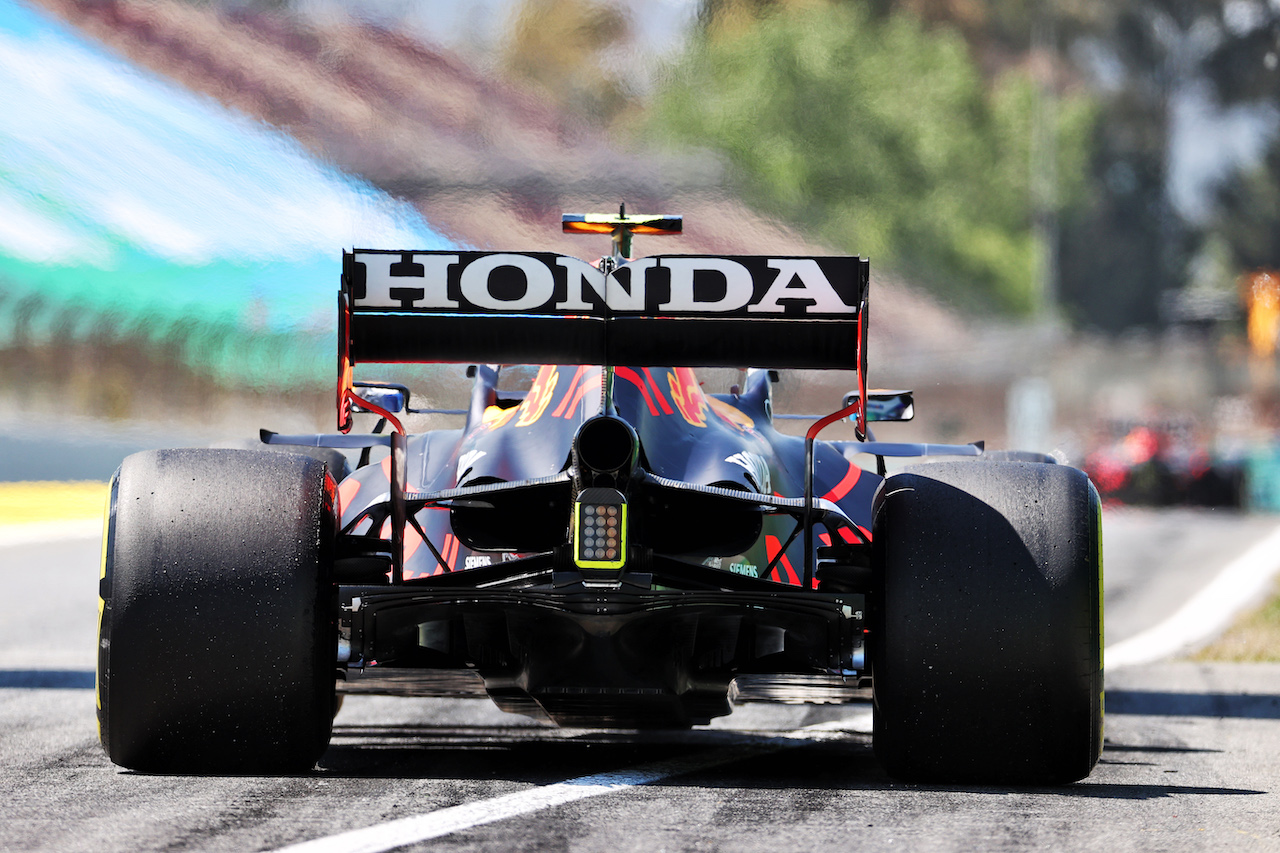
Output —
(1206, 614)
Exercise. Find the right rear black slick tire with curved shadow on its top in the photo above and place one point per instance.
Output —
(988, 631)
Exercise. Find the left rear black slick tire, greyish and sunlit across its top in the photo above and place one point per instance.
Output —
(217, 636)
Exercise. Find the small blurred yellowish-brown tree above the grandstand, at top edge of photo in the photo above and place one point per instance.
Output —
(564, 47)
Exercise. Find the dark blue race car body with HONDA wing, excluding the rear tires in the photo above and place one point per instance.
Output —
(744, 562)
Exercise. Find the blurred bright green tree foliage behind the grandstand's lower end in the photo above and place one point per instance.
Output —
(877, 134)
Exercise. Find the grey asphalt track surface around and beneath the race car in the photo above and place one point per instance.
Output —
(1192, 759)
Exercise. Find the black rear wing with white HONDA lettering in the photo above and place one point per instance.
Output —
(541, 308)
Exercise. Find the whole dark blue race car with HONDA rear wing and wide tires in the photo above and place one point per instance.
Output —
(610, 546)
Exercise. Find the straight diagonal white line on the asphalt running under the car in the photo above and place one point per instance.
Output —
(456, 819)
